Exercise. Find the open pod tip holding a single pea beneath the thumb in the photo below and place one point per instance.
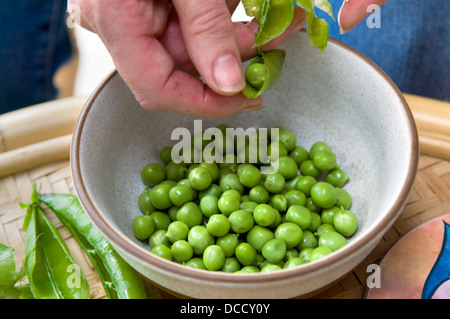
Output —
(263, 72)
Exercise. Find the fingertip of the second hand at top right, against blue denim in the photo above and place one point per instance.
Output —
(354, 11)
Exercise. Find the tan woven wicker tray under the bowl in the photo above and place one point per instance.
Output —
(37, 153)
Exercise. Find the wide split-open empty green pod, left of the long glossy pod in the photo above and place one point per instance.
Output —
(52, 272)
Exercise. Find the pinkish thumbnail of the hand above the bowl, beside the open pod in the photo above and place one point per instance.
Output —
(228, 74)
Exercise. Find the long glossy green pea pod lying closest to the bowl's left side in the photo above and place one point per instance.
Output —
(125, 279)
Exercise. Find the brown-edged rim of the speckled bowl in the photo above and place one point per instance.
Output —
(121, 241)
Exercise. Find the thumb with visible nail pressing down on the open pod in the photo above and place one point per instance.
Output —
(211, 43)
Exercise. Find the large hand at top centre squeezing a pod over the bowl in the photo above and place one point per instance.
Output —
(160, 49)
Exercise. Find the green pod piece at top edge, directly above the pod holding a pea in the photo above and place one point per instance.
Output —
(274, 16)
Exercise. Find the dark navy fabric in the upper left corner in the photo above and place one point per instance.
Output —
(34, 42)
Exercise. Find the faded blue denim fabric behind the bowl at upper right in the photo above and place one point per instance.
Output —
(412, 44)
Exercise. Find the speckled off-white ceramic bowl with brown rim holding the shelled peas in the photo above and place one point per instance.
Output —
(339, 97)
